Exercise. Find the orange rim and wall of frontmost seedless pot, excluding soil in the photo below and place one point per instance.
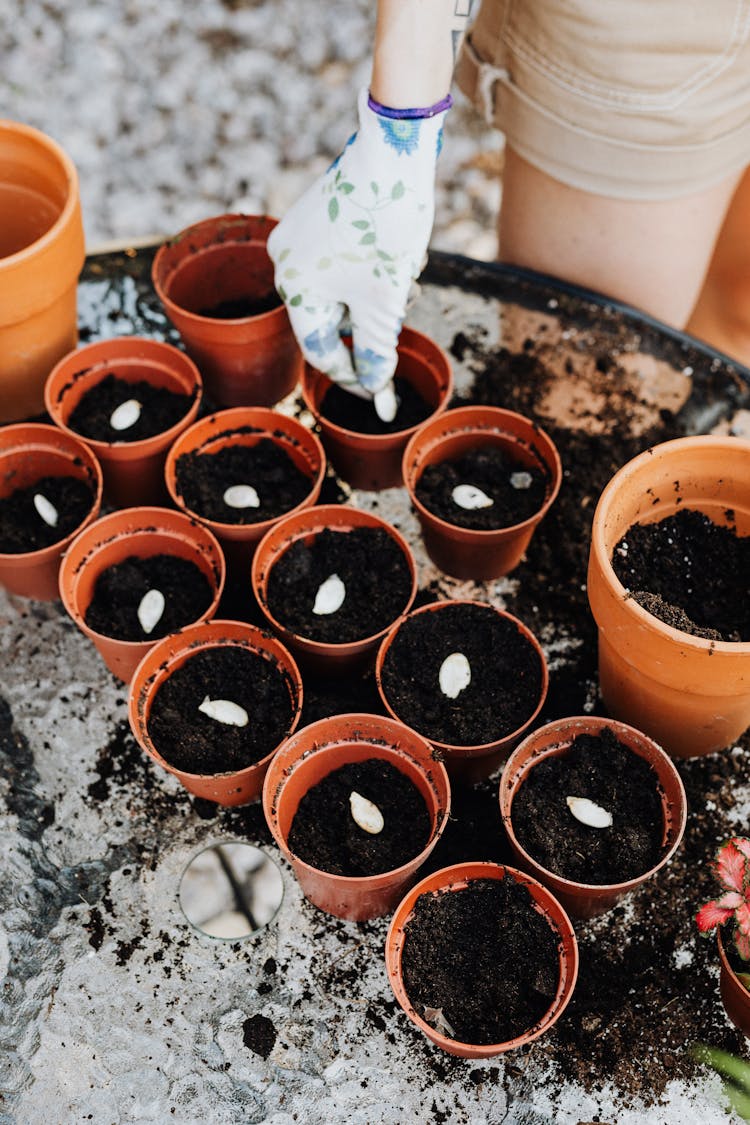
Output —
(456, 879)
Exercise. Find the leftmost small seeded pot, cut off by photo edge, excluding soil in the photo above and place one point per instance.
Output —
(29, 453)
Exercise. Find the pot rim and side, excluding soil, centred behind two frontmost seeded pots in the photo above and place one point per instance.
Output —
(468, 763)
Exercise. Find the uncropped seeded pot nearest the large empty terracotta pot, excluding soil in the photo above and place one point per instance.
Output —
(134, 471)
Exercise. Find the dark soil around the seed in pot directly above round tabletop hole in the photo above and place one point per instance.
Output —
(195, 743)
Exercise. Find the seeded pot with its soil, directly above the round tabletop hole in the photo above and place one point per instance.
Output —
(213, 704)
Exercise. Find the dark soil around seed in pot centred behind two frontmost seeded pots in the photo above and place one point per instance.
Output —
(507, 676)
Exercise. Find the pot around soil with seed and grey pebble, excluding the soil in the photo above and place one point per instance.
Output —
(462, 552)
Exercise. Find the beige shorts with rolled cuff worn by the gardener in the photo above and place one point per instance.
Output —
(638, 100)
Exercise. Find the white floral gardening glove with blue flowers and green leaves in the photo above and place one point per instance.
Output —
(356, 241)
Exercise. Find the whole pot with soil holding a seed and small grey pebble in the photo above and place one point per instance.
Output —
(481, 480)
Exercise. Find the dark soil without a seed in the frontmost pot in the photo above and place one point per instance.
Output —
(485, 958)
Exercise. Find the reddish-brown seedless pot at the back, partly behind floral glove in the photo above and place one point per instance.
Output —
(248, 362)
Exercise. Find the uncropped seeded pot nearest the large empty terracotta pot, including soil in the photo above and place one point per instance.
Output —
(128, 400)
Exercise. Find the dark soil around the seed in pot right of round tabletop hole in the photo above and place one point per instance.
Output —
(326, 835)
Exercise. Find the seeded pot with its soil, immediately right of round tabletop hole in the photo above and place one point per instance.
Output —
(357, 804)
